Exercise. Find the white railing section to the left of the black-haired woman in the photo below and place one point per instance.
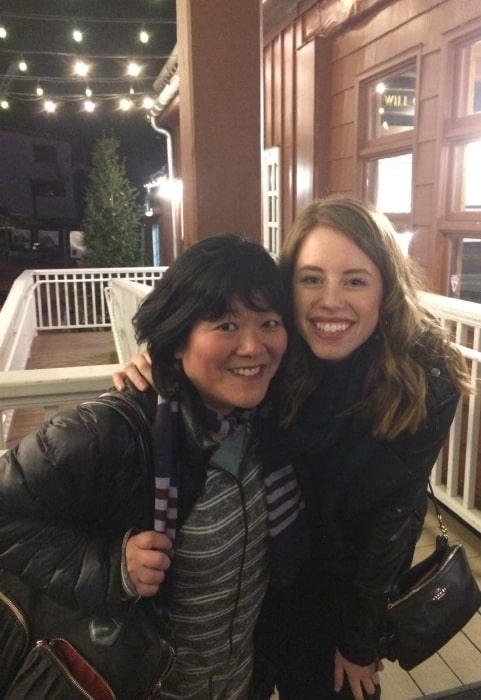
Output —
(48, 300)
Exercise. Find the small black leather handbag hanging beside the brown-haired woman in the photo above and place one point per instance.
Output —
(430, 603)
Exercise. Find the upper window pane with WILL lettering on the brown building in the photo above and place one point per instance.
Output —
(392, 103)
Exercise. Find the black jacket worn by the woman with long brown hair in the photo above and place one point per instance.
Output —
(366, 501)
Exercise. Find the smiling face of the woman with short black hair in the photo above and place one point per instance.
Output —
(232, 360)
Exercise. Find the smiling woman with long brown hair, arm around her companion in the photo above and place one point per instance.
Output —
(369, 390)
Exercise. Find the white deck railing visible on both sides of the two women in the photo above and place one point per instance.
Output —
(455, 476)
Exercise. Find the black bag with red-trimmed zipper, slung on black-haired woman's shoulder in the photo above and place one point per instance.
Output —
(125, 658)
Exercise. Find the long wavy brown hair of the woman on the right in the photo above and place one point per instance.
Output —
(411, 339)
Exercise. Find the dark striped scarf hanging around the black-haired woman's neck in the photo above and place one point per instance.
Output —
(186, 435)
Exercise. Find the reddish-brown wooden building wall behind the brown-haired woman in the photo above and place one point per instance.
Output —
(314, 109)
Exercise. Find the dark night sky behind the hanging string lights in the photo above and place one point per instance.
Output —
(40, 32)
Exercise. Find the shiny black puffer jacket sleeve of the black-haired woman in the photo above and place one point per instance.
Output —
(68, 494)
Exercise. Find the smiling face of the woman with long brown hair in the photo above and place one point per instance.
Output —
(337, 294)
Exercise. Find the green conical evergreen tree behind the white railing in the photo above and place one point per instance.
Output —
(110, 224)
